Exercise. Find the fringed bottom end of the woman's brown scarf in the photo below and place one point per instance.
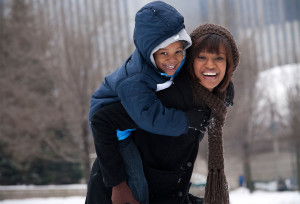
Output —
(216, 189)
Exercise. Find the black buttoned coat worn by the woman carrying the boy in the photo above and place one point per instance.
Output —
(168, 161)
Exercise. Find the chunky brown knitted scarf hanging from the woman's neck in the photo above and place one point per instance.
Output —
(216, 189)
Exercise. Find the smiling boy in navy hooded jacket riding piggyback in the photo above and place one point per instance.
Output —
(161, 41)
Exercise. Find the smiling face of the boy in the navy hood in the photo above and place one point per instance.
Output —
(168, 59)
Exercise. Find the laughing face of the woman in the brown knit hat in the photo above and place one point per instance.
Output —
(210, 68)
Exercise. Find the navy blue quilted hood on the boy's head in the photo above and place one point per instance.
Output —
(154, 23)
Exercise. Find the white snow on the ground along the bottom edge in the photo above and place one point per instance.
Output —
(239, 196)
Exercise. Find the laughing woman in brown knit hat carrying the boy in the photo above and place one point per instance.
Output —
(167, 161)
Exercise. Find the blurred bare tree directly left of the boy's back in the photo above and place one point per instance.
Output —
(74, 77)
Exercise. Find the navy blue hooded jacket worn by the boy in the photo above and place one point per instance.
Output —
(135, 82)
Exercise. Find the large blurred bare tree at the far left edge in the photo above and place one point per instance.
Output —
(31, 123)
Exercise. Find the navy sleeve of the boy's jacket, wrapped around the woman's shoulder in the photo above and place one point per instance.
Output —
(137, 94)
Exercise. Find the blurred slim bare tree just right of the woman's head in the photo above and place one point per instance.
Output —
(239, 126)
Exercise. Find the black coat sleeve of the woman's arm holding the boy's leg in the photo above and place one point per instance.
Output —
(104, 124)
